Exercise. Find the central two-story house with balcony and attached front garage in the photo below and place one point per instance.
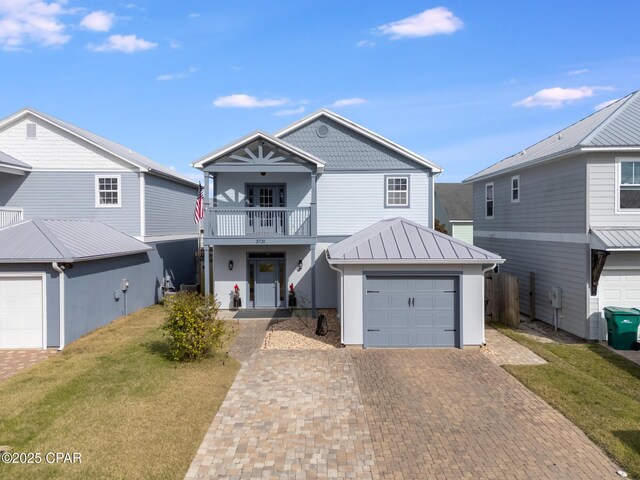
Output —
(280, 201)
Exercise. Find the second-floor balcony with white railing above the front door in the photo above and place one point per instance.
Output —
(259, 225)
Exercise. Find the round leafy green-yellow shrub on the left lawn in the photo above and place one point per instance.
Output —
(192, 326)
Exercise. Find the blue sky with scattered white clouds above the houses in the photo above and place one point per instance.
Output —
(463, 83)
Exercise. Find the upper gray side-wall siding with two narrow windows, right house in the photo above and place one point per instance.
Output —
(552, 199)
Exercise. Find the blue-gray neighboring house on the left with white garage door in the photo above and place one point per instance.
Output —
(79, 215)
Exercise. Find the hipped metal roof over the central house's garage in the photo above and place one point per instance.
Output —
(398, 240)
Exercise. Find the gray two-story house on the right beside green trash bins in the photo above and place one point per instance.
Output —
(568, 209)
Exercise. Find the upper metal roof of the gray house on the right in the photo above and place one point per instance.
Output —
(617, 125)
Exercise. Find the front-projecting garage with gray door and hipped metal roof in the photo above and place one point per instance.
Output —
(404, 285)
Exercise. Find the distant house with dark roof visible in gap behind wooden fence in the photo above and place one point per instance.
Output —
(454, 209)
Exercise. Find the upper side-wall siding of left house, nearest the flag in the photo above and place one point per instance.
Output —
(169, 207)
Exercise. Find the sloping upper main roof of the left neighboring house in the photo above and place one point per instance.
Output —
(113, 147)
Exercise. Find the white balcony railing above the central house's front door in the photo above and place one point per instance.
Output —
(258, 222)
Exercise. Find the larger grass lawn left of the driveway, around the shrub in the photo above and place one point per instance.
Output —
(114, 397)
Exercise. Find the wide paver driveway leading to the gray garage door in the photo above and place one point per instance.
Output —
(401, 414)
